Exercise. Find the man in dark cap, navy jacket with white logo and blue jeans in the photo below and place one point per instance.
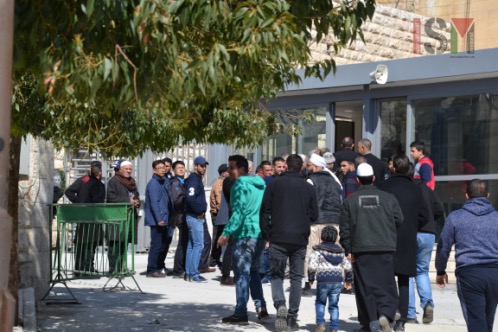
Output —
(196, 207)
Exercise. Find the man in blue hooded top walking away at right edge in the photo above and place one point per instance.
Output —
(473, 230)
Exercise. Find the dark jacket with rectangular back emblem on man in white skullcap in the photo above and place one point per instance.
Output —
(369, 221)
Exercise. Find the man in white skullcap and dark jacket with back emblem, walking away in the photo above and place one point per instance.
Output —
(371, 247)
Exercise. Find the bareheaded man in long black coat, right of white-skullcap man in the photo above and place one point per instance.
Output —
(416, 214)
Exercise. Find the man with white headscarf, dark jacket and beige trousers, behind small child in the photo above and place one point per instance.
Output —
(328, 191)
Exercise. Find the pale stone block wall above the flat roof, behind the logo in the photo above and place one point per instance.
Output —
(389, 35)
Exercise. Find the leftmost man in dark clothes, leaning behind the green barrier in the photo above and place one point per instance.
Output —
(88, 234)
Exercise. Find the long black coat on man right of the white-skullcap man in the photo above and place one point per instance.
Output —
(416, 215)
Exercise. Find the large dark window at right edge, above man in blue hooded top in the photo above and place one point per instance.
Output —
(460, 133)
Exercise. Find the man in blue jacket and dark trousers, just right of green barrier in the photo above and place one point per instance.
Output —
(158, 208)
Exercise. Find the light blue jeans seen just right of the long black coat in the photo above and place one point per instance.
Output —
(425, 244)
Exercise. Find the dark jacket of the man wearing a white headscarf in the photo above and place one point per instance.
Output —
(329, 196)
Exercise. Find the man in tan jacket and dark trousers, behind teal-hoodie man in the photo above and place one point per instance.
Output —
(215, 203)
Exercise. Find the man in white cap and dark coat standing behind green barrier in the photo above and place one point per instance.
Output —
(121, 188)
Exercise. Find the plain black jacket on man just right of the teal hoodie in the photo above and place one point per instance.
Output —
(289, 207)
